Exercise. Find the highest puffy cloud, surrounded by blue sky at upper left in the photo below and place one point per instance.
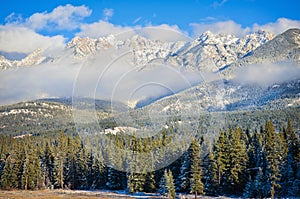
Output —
(66, 17)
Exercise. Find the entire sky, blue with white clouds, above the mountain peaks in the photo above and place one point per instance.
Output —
(28, 25)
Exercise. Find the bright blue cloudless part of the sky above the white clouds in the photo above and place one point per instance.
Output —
(155, 12)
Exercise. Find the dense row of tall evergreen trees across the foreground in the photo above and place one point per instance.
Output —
(263, 163)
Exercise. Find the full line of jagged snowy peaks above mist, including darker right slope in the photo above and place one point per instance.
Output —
(212, 52)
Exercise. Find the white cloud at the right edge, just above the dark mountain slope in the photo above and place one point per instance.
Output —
(281, 25)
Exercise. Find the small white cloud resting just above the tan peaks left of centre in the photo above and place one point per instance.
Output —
(100, 29)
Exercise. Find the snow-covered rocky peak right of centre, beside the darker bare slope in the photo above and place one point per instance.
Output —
(212, 52)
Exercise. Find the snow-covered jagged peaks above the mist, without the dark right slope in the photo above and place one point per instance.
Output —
(209, 51)
